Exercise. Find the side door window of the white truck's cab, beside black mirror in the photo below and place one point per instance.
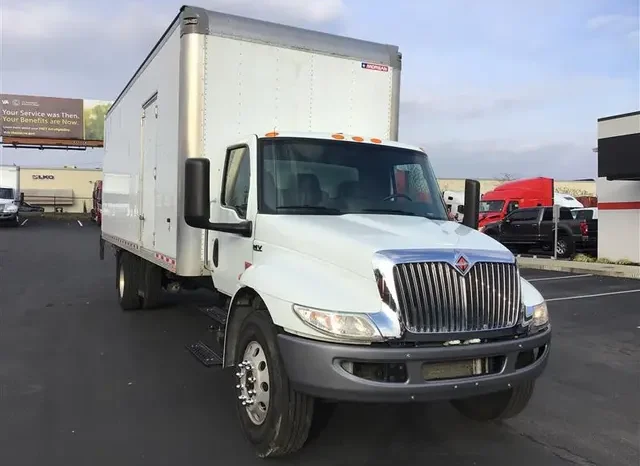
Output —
(235, 192)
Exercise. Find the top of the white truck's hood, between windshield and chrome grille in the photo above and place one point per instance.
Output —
(349, 241)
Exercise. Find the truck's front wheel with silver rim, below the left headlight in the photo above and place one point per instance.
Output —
(283, 428)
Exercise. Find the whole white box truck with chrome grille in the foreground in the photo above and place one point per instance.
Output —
(261, 161)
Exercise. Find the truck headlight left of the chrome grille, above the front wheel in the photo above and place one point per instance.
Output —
(339, 324)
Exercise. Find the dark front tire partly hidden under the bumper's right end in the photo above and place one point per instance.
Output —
(495, 406)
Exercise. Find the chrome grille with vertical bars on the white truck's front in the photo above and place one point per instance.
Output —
(435, 298)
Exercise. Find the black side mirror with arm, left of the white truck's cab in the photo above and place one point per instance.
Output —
(197, 200)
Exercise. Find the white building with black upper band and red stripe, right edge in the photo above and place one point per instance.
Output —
(618, 187)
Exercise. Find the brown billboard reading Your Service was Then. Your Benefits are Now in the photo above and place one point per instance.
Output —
(37, 117)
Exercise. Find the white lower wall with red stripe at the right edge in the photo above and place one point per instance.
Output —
(619, 220)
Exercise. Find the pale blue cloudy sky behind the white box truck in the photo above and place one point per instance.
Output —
(489, 87)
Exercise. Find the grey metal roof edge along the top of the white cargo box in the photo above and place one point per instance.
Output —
(201, 21)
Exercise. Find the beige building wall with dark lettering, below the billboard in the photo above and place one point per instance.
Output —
(69, 189)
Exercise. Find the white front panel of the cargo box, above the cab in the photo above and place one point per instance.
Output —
(265, 87)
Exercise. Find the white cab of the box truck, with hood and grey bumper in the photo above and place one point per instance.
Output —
(363, 292)
